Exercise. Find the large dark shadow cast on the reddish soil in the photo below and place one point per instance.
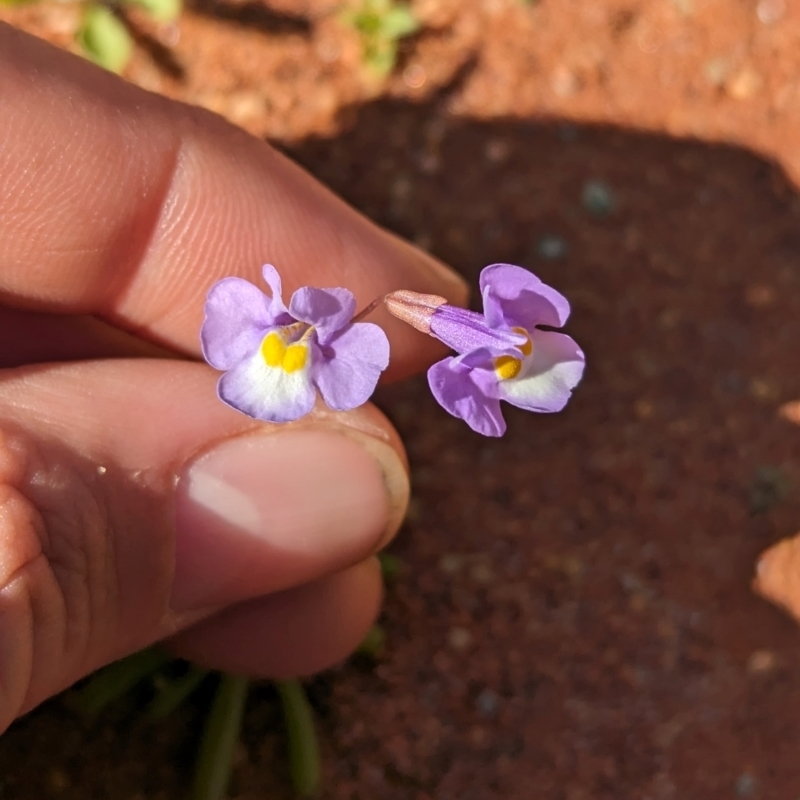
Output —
(574, 618)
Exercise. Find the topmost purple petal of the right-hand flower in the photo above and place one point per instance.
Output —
(513, 297)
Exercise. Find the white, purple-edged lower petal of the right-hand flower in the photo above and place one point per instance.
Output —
(548, 377)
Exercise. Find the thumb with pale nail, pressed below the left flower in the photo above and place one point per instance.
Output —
(133, 505)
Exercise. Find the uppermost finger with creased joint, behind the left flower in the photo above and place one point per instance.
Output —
(123, 204)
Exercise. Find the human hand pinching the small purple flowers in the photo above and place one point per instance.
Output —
(134, 506)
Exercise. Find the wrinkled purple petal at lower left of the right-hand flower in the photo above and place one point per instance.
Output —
(468, 394)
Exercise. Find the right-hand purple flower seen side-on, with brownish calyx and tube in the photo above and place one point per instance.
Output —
(502, 355)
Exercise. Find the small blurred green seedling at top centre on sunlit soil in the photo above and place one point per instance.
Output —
(381, 24)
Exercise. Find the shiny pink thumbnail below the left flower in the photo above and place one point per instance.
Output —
(268, 511)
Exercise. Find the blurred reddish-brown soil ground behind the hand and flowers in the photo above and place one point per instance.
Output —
(570, 615)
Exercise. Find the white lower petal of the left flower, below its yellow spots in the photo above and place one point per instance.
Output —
(267, 393)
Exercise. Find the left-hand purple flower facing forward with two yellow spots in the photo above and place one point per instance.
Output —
(275, 358)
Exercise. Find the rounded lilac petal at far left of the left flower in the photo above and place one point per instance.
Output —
(237, 315)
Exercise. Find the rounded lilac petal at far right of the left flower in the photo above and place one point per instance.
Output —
(346, 370)
